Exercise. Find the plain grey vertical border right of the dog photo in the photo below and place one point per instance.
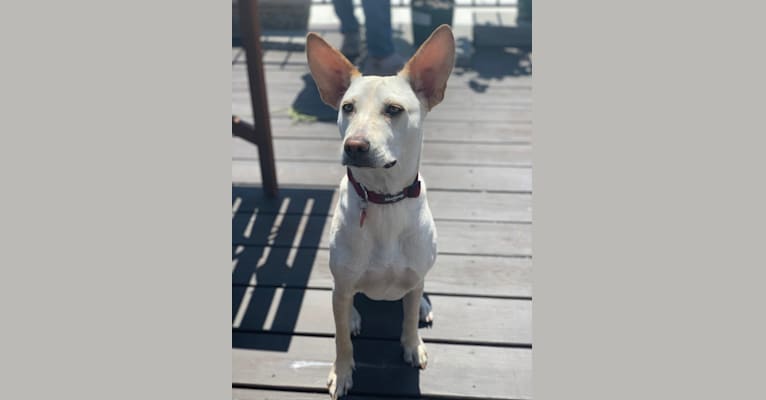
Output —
(649, 181)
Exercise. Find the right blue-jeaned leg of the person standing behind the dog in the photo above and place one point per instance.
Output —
(377, 16)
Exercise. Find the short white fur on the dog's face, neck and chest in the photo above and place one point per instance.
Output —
(390, 254)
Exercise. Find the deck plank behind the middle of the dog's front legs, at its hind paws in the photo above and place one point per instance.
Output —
(456, 319)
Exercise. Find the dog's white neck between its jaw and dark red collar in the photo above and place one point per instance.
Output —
(388, 180)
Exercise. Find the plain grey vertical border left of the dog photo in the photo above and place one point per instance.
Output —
(114, 219)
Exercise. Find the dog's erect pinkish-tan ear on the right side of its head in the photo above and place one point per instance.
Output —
(429, 69)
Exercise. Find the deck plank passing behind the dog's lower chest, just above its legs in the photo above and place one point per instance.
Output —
(467, 275)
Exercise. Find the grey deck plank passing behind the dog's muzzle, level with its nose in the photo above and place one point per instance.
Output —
(518, 155)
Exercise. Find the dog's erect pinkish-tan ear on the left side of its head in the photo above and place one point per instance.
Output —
(332, 72)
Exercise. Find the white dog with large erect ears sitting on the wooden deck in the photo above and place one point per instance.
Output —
(382, 237)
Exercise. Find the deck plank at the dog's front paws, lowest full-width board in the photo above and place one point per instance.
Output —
(481, 372)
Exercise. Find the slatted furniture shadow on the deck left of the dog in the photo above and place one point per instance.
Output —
(263, 234)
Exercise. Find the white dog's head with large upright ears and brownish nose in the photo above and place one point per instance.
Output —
(380, 117)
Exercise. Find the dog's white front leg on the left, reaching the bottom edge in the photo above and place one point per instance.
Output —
(339, 381)
